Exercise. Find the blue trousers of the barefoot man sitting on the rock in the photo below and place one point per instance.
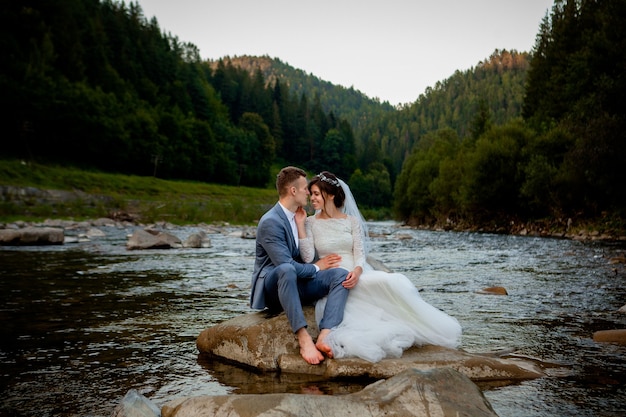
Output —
(283, 289)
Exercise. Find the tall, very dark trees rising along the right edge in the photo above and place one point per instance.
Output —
(576, 83)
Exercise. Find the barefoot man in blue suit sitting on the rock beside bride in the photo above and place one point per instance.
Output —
(281, 281)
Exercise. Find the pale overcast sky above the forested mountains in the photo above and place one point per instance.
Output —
(389, 49)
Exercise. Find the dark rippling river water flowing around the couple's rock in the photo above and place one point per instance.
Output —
(83, 323)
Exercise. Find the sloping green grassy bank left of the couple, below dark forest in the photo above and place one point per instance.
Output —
(86, 194)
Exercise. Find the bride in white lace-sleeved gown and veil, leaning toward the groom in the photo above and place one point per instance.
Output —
(385, 313)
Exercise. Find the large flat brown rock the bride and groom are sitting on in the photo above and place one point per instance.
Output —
(266, 342)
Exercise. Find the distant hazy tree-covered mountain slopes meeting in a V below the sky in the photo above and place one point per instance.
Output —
(467, 102)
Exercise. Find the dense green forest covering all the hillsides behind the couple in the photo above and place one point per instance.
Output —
(523, 135)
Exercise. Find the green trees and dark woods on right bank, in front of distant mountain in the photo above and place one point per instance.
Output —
(564, 156)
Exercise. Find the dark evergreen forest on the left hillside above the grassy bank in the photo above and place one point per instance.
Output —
(96, 85)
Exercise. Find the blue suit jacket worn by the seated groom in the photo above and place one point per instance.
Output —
(275, 245)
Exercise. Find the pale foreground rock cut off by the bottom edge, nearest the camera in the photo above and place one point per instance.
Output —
(440, 392)
